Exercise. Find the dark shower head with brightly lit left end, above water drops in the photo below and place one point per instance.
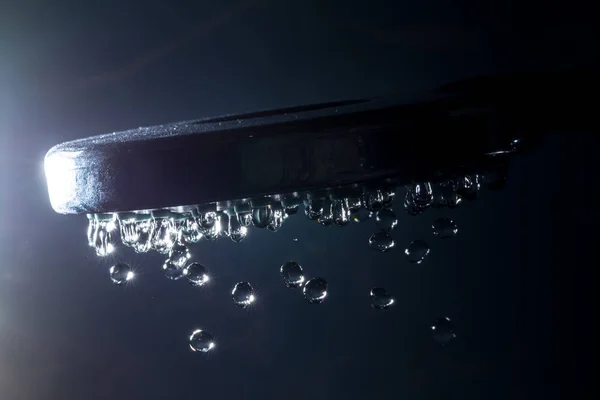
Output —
(463, 126)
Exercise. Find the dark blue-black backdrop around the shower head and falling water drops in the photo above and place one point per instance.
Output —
(513, 280)
